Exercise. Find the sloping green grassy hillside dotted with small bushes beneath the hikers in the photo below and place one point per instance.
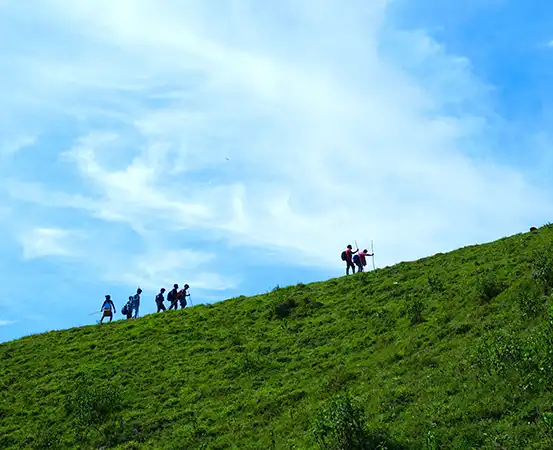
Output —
(452, 351)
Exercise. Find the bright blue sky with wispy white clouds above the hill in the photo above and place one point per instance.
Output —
(238, 145)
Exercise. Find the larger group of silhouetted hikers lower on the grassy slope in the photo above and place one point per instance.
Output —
(175, 298)
